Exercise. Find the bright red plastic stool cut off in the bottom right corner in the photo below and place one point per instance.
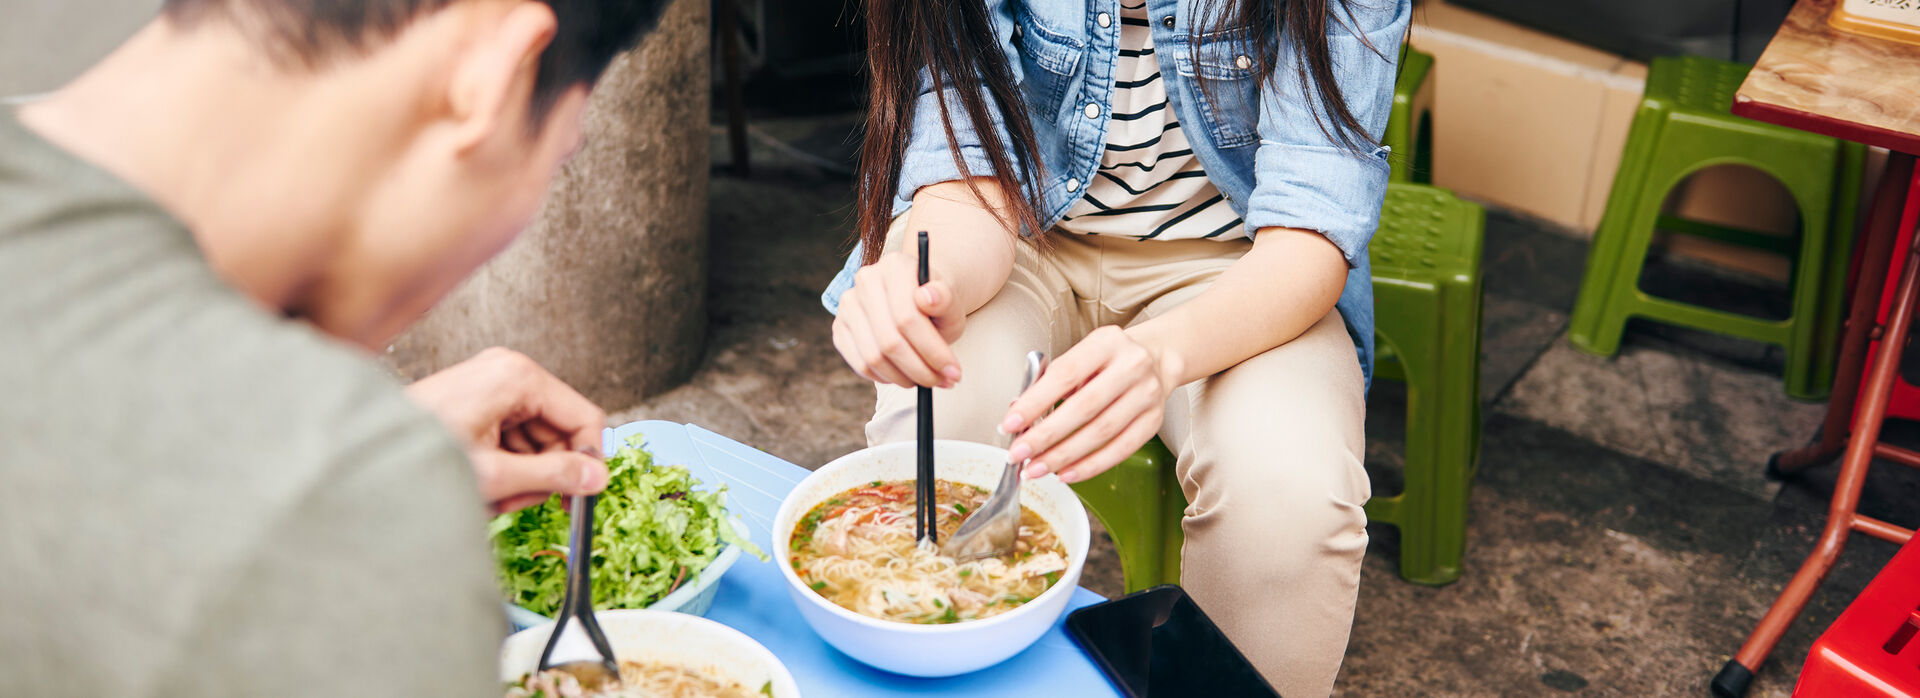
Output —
(1873, 649)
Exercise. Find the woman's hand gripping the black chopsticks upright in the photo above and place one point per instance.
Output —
(896, 331)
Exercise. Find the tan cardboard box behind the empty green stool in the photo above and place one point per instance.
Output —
(1537, 124)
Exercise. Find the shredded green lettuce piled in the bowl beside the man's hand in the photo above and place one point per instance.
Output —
(654, 534)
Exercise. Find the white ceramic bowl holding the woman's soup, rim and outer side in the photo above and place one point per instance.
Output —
(934, 651)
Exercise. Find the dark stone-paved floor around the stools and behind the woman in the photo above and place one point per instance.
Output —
(1621, 542)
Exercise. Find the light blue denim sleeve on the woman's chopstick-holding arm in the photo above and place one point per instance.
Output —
(930, 158)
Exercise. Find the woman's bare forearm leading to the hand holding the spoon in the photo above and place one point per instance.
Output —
(1268, 298)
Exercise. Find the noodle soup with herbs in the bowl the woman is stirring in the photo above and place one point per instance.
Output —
(857, 551)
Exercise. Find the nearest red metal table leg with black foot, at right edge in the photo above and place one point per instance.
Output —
(1842, 519)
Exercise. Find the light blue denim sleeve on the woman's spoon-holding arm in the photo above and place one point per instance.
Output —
(1305, 177)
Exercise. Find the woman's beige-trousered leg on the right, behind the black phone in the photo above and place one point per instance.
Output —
(1270, 459)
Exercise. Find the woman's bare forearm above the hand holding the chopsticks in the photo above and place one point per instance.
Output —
(972, 250)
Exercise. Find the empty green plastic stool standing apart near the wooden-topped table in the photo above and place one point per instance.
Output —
(1683, 128)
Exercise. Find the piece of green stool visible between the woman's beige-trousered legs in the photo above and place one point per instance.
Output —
(1141, 507)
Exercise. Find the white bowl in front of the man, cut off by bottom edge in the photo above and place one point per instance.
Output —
(690, 641)
